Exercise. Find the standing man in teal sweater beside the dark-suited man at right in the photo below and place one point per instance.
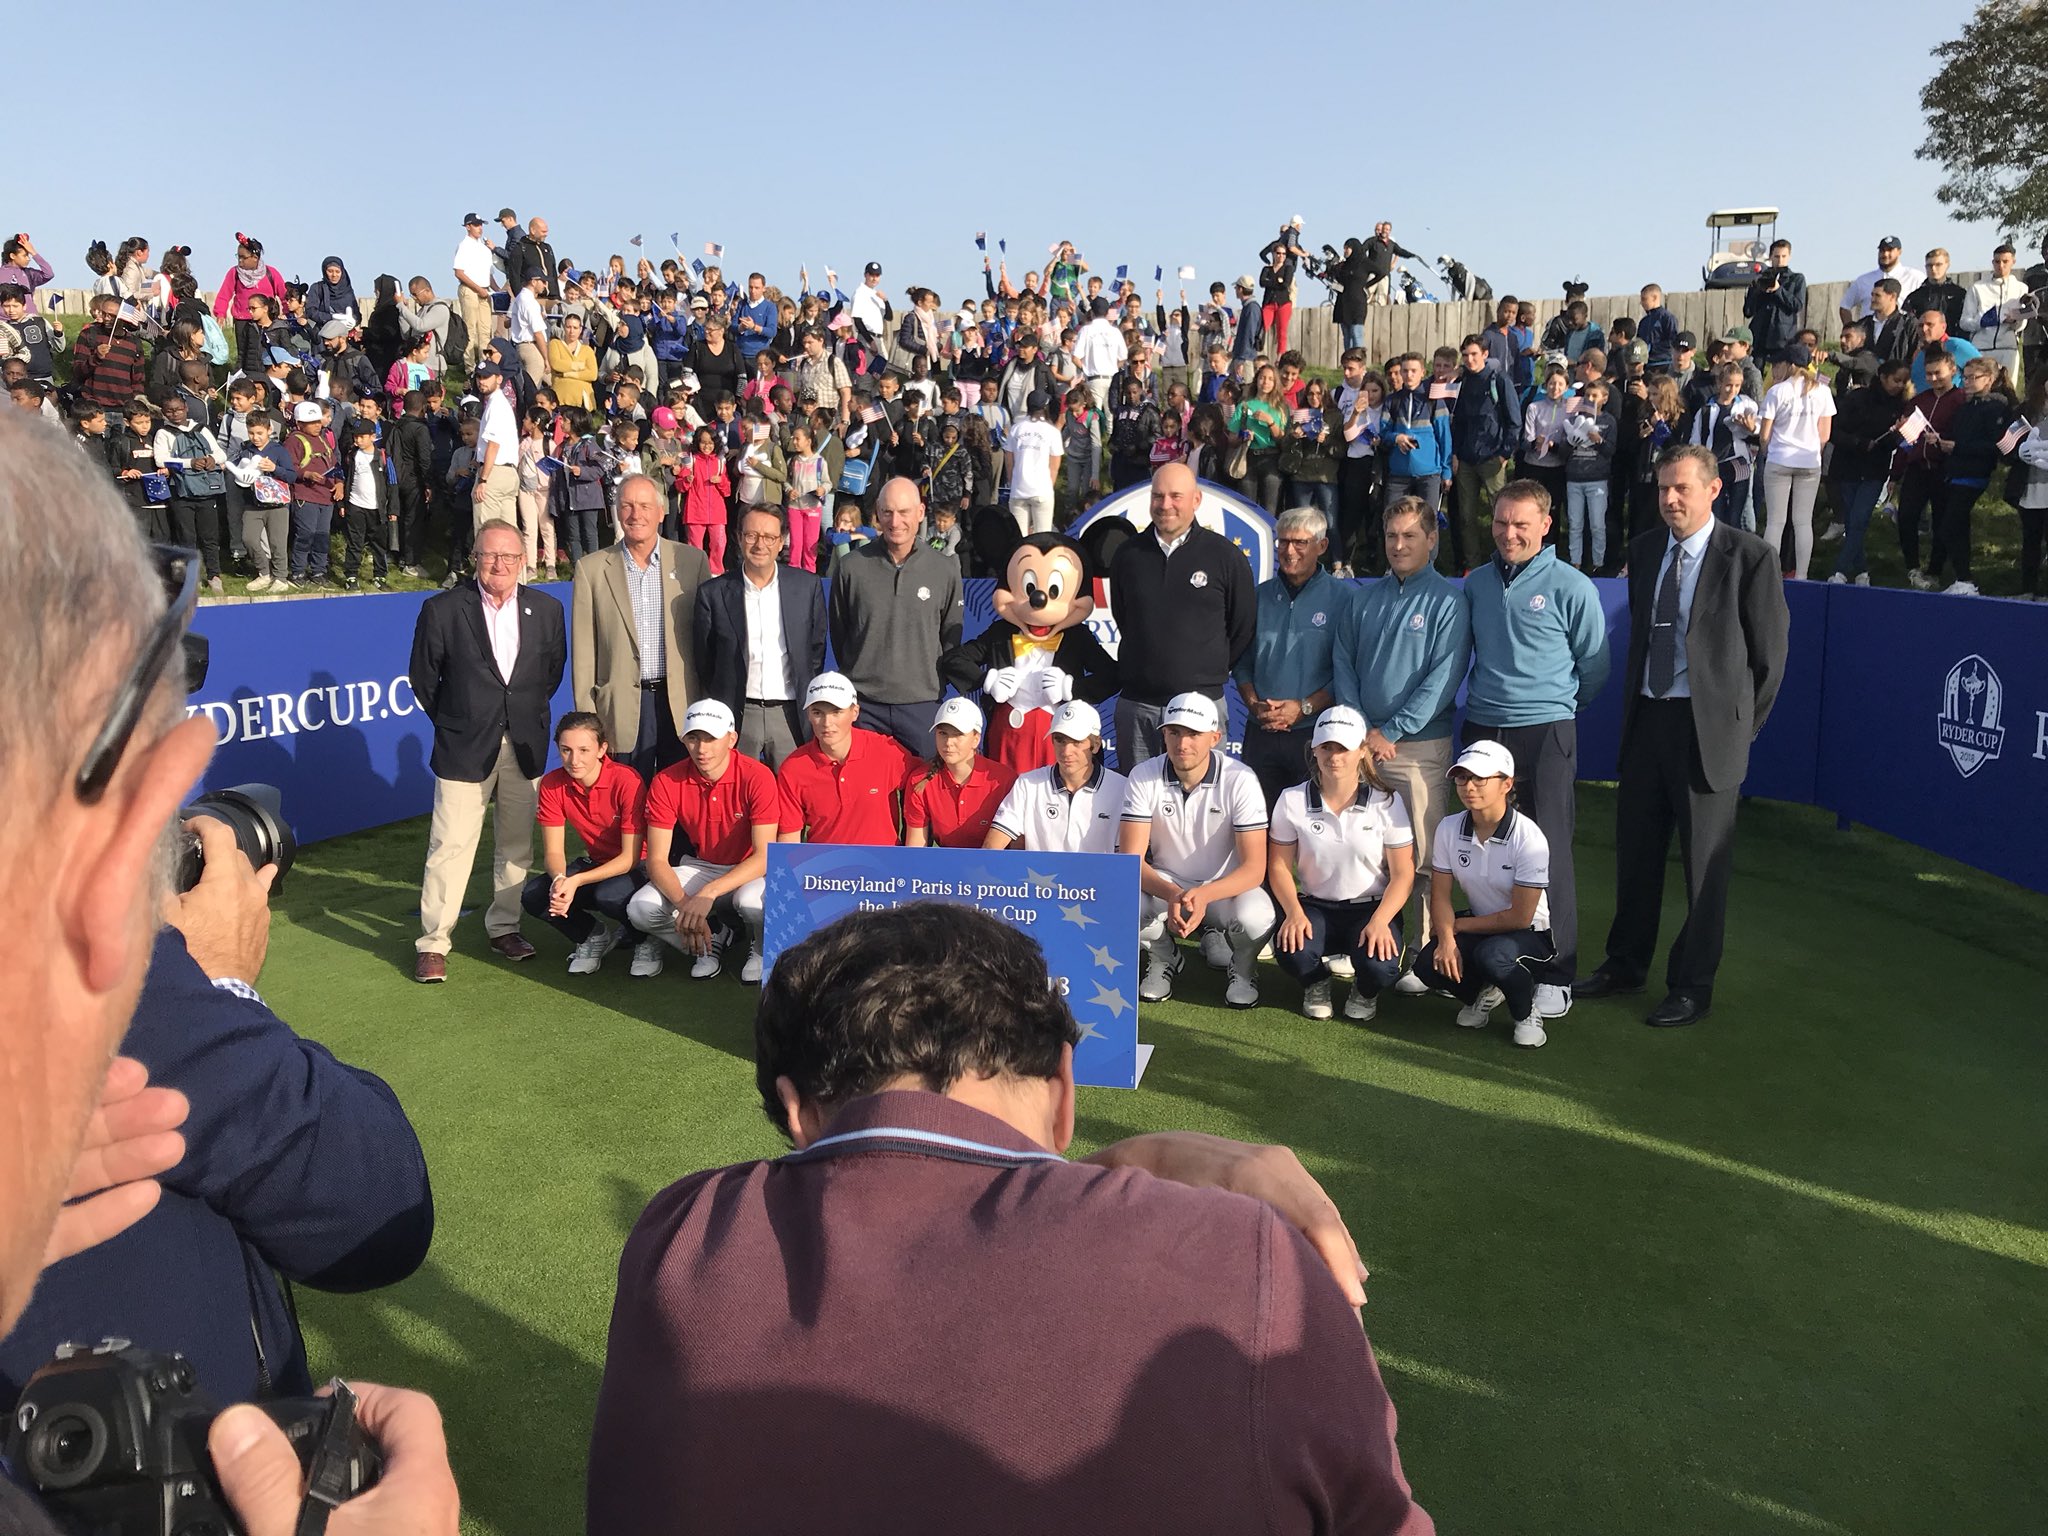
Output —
(1539, 656)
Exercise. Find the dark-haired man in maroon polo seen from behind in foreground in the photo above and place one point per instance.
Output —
(925, 1320)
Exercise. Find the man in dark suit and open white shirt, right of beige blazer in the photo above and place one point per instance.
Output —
(761, 638)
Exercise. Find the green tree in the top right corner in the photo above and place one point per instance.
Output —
(1988, 118)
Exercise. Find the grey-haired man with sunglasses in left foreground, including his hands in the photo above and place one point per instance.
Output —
(93, 767)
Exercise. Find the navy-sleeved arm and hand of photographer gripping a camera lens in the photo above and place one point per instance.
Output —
(294, 1162)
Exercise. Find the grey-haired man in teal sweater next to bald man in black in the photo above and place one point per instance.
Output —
(1285, 677)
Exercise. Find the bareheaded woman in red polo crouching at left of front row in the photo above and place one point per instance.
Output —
(601, 798)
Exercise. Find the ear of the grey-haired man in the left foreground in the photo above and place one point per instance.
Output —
(103, 888)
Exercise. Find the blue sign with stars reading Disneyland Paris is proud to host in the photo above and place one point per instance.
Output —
(1080, 908)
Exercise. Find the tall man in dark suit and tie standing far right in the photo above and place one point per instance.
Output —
(1707, 650)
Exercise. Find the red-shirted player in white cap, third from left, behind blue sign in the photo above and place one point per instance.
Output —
(843, 785)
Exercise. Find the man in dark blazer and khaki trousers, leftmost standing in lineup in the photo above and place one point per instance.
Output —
(486, 660)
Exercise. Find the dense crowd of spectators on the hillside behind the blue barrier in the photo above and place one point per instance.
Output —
(1023, 402)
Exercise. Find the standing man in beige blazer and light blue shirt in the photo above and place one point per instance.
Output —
(632, 654)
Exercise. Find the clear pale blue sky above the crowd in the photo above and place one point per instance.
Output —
(1533, 144)
